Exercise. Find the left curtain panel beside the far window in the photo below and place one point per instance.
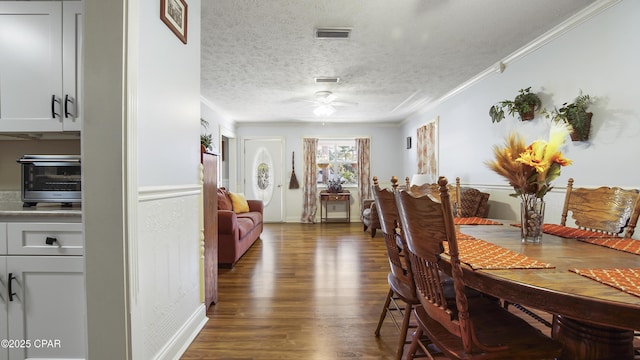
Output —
(309, 187)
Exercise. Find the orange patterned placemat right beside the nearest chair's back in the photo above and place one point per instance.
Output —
(480, 254)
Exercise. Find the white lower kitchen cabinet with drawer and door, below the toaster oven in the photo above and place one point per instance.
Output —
(42, 291)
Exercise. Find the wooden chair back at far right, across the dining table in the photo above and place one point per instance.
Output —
(608, 210)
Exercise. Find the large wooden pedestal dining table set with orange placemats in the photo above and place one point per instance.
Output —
(591, 319)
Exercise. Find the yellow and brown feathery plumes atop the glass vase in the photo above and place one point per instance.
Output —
(530, 169)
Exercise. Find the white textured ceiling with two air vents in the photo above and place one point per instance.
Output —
(260, 57)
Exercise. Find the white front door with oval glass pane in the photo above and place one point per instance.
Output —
(263, 173)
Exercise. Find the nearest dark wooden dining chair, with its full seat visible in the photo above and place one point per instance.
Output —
(467, 327)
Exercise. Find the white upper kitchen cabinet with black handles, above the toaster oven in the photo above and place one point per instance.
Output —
(40, 66)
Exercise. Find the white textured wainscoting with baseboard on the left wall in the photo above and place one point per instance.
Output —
(167, 310)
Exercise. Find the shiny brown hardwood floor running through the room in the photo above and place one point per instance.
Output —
(304, 291)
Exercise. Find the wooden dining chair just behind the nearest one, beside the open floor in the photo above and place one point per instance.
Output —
(401, 285)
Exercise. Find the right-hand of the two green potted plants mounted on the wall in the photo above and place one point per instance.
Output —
(576, 115)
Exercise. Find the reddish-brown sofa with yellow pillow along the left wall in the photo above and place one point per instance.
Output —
(236, 231)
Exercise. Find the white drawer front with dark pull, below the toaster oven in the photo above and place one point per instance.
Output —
(44, 239)
